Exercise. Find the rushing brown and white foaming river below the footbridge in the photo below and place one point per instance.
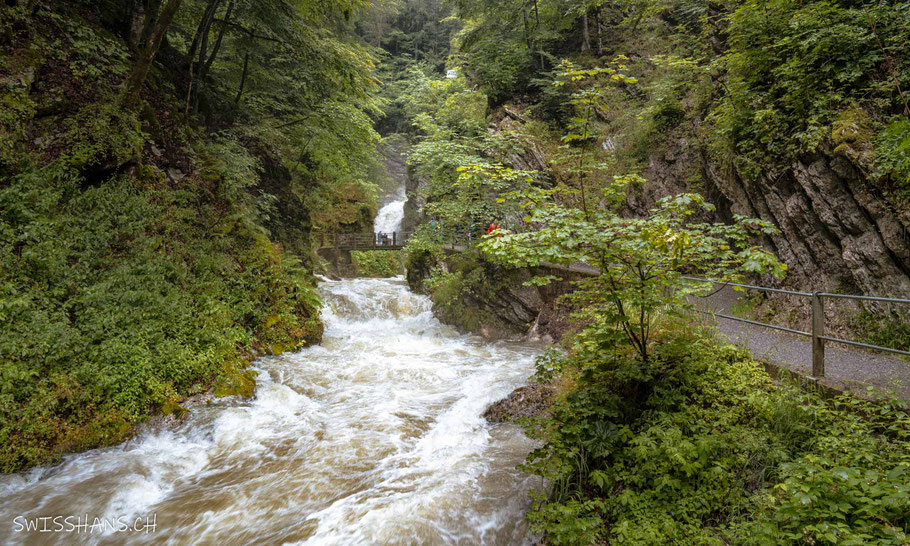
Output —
(373, 437)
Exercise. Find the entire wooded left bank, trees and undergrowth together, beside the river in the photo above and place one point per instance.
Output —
(152, 246)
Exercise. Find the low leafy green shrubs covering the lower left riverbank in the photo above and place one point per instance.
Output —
(125, 297)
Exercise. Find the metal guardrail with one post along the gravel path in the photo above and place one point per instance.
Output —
(817, 314)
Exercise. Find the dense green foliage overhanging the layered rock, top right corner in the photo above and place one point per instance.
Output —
(795, 67)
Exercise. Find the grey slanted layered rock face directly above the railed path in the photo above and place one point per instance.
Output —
(835, 234)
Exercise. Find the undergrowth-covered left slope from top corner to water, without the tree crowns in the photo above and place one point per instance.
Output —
(124, 288)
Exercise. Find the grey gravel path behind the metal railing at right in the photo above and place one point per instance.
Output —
(845, 367)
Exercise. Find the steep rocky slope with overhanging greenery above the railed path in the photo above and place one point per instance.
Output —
(792, 113)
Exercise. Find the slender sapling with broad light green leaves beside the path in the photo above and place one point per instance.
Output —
(641, 261)
